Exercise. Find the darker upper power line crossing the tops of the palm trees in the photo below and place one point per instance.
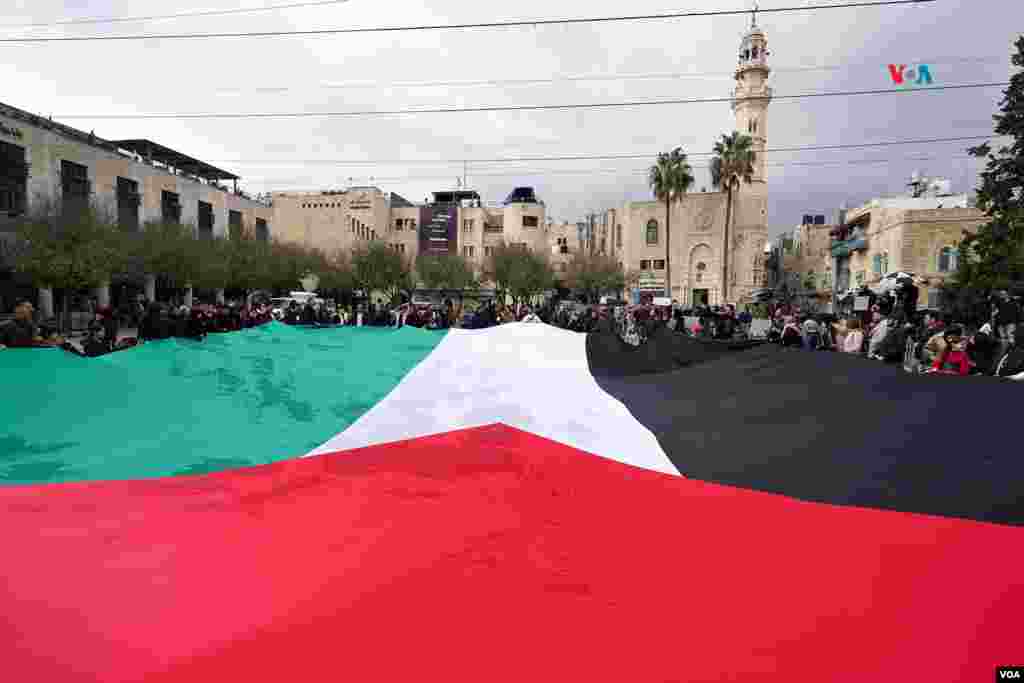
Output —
(651, 155)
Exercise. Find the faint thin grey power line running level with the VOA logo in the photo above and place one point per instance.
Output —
(376, 86)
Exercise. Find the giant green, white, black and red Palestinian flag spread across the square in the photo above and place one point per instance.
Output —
(520, 503)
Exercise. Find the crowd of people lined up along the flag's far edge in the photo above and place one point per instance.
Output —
(889, 330)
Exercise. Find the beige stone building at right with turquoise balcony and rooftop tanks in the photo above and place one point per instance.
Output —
(919, 234)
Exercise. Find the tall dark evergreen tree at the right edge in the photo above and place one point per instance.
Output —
(994, 258)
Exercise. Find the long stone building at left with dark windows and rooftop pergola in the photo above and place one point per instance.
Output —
(45, 164)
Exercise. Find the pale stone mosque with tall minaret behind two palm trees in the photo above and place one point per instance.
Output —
(636, 232)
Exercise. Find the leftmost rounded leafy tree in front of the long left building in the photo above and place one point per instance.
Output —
(69, 250)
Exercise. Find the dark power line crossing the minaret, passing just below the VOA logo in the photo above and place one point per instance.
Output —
(525, 108)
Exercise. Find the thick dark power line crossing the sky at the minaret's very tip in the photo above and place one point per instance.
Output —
(450, 27)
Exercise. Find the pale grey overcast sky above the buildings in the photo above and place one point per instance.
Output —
(965, 41)
